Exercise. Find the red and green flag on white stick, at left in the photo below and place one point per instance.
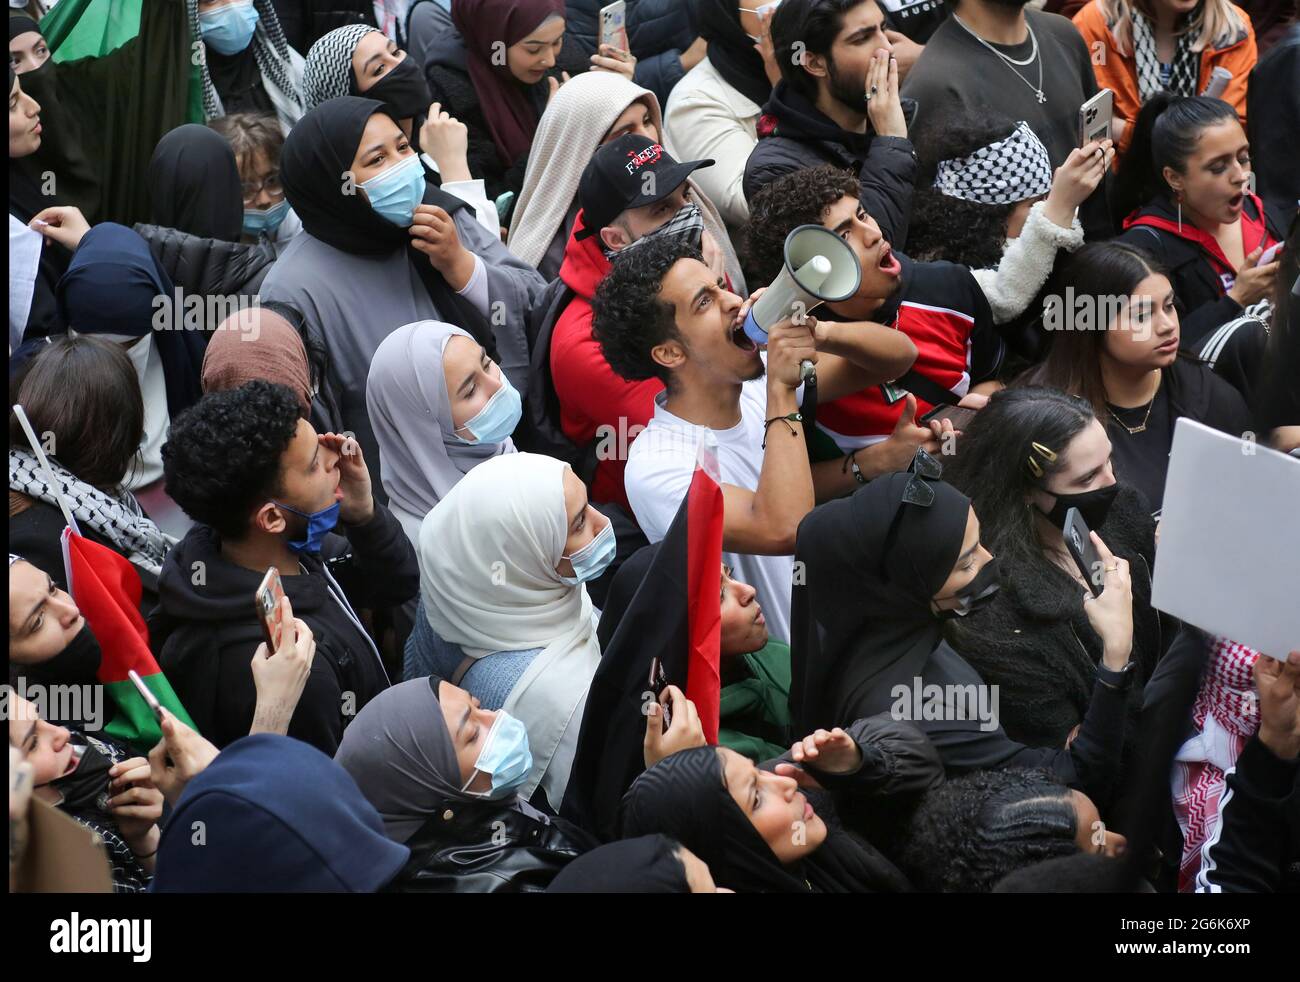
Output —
(107, 591)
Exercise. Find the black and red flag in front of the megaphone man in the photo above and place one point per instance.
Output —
(665, 604)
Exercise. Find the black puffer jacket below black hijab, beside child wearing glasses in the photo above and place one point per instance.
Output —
(209, 267)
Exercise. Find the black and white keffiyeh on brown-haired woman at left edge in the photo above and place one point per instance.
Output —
(120, 521)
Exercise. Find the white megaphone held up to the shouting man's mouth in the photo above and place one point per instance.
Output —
(820, 269)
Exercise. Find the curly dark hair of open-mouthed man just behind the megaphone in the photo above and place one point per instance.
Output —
(800, 198)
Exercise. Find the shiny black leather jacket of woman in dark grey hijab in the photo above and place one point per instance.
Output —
(489, 847)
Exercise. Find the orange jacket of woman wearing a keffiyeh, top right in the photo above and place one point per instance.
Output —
(1120, 73)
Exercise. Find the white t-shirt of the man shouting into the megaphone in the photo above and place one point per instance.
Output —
(661, 464)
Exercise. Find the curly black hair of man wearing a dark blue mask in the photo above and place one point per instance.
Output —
(223, 455)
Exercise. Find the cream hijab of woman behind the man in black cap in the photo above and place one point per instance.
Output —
(567, 137)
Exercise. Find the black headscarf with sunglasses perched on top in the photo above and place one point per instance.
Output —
(855, 635)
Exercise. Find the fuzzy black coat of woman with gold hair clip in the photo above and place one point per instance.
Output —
(1034, 641)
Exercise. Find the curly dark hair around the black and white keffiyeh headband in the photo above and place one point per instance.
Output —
(943, 227)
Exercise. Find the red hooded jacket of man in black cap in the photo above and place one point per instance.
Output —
(596, 404)
